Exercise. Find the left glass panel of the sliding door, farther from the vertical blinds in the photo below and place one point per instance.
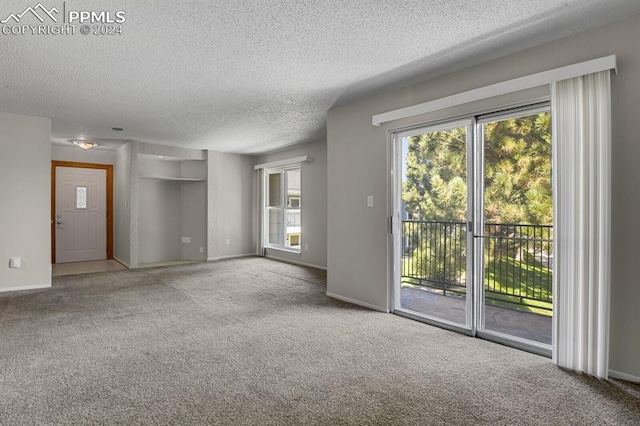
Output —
(435, 259)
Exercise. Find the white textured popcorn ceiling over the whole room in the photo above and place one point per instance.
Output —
(252, 76)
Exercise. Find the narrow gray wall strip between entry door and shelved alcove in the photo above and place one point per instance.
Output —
(121, 199)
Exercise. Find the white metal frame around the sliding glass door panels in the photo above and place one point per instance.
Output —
(475, 218)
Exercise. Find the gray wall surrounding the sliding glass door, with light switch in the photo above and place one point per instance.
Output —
(357, 160)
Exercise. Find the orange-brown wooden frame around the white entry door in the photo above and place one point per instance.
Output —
(109, 170)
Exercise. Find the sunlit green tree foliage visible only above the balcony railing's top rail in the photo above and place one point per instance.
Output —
(517, 160)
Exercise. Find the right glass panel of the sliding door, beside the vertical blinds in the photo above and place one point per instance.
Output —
(515, 245)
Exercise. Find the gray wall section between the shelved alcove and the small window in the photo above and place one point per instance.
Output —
(230, 201)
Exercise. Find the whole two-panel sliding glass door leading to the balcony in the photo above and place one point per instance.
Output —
(473, 241)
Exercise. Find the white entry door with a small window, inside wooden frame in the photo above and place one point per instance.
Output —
(81, 214)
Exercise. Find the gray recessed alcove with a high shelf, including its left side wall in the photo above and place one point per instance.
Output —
(152, 215)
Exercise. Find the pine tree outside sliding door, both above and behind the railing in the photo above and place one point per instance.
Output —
(518, 190)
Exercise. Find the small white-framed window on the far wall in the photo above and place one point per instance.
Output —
(283, 227)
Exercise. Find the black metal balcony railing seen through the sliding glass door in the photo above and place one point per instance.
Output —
(517, 261)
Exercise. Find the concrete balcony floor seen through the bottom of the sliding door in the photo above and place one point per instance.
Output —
(526, 325)
